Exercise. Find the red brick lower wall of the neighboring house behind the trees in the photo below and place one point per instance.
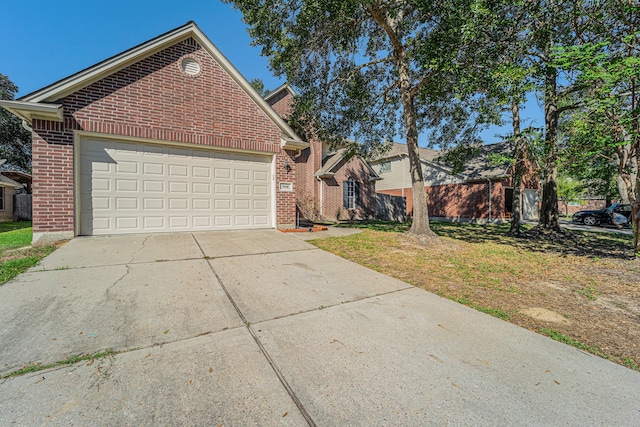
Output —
(467, 200)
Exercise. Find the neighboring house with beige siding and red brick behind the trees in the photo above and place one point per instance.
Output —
(481, 192)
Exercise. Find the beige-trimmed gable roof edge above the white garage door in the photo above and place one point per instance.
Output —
(43, 103)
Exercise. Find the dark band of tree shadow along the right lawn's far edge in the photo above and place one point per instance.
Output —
(578, 243)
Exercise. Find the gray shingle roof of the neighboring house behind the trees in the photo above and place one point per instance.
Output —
(479, 167)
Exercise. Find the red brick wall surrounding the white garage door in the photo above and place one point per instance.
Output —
(152, 99)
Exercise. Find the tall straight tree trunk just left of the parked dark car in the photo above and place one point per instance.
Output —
(549, 217)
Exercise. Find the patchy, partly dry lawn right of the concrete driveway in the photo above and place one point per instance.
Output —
(583, 291)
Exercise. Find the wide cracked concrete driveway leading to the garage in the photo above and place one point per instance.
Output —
(261, 328)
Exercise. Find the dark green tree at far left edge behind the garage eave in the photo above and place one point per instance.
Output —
(15, 140)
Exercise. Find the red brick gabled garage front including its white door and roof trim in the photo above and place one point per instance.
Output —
(166, 136)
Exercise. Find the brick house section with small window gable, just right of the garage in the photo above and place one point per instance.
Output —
(331, 184)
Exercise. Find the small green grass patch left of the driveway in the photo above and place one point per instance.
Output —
(16, 253)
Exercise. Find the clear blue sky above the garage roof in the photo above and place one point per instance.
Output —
(44, 41)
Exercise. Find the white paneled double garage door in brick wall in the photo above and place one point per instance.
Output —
(132, 188)
